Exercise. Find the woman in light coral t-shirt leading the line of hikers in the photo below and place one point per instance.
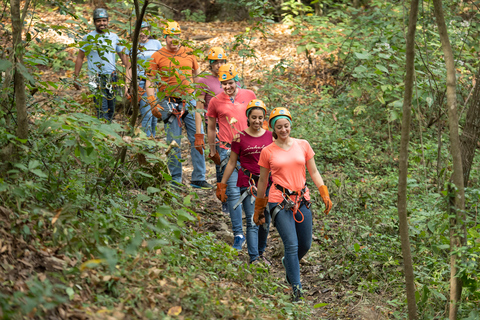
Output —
(289, 197)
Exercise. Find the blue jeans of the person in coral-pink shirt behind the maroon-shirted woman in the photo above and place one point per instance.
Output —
(233, 194)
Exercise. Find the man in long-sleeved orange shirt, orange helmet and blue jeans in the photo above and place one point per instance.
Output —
(177, 69)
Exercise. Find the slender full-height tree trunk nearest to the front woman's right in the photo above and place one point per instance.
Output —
(403, 161)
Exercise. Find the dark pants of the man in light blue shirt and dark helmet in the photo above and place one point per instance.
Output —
(105, 98)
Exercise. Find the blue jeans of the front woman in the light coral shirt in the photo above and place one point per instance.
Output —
(297, 239)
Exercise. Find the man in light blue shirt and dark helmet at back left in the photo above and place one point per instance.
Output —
(100, 47)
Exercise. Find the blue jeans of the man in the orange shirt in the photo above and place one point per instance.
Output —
(174, 132)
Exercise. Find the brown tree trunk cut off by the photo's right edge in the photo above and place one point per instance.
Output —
(471, 131)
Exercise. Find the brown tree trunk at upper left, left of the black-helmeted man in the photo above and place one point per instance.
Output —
(19, 81)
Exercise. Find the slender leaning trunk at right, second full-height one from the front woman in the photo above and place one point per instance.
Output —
(457, 225)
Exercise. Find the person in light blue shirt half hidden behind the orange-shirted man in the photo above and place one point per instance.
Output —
(146, 47)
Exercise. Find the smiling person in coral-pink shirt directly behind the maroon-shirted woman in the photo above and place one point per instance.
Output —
(228, 108)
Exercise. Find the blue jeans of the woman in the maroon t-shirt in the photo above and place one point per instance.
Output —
(256, 235)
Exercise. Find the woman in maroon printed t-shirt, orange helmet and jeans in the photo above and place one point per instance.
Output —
(246, 148)
